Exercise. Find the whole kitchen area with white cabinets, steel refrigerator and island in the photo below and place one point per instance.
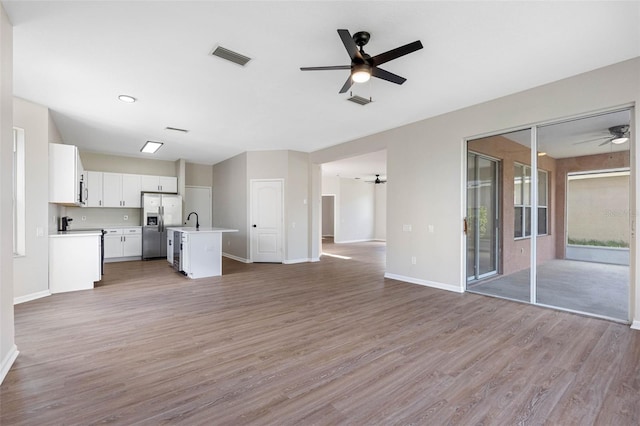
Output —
(130, 214)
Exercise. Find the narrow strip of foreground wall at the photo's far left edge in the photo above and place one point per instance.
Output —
(8, 350)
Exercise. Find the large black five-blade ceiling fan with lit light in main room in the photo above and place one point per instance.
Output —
(364, 66)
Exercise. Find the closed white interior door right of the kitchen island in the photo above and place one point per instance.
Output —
(267, 220)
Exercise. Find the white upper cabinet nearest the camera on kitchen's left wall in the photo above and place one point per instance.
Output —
(66, 175)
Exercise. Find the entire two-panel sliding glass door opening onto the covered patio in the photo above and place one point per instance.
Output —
(564, 223)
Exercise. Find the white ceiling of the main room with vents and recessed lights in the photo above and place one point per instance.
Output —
(77, 57)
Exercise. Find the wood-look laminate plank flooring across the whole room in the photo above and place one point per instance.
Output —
(331, 342)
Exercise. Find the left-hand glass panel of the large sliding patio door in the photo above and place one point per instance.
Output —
(499, 215)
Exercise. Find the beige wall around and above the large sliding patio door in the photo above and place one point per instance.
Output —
(426, 160)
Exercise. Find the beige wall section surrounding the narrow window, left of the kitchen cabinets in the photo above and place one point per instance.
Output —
(31, 273)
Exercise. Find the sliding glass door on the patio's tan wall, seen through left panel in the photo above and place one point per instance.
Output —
(482, 217)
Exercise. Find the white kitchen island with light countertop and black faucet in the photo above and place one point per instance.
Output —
(196, 252)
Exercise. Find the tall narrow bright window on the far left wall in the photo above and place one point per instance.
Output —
(18, 193)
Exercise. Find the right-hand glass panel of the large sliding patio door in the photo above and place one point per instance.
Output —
(583, 215)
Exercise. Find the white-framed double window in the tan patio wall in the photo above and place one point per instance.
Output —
(522, 201)
